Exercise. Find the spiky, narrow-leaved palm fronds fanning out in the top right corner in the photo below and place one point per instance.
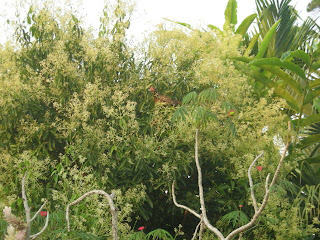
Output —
(289, 35)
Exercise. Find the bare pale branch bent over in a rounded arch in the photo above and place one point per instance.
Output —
(112, 209)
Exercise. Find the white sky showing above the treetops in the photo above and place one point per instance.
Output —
(149, 13)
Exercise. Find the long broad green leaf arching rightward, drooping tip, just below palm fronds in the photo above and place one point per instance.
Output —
(277, 62)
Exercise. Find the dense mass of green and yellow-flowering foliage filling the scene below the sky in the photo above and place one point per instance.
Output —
(77, 115)
